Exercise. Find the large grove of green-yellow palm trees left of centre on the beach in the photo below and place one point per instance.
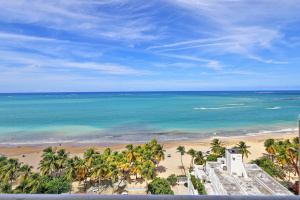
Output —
(57, 171)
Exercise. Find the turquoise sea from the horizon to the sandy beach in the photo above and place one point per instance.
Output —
(108, 118)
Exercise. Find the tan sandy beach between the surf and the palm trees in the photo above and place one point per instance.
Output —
(171, 165)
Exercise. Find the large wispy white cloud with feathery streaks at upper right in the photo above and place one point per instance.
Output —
(236, 26)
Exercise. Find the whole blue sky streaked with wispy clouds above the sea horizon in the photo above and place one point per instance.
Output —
(136, 45)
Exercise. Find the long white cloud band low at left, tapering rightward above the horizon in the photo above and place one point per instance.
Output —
(30, 63)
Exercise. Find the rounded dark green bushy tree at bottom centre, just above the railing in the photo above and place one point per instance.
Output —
(160, 186)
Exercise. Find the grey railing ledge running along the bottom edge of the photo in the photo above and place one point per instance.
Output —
(136, 197)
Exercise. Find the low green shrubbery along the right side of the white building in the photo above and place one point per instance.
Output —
(268, 166)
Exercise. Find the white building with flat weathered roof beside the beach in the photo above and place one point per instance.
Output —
(230, 176)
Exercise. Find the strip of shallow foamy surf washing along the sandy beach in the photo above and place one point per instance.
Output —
(163, 137)
